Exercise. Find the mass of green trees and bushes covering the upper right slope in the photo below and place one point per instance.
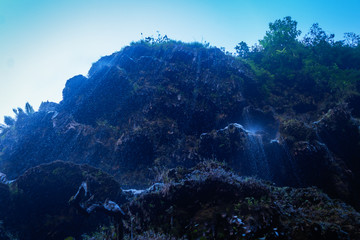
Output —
(317, 66)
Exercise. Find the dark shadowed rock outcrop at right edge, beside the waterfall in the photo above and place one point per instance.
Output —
(326, 152)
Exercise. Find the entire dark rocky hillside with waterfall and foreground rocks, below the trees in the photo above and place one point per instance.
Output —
(149, 113)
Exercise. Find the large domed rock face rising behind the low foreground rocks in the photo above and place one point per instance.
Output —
(144, 106)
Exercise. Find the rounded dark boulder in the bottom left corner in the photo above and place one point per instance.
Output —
(41, 197)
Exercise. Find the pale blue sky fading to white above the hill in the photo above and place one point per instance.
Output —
(43, 43)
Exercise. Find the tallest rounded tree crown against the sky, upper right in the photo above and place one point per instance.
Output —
(282, 34)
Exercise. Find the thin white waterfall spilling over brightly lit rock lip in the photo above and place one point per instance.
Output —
(266, 155)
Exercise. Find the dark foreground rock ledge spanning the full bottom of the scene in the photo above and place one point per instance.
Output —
(208, 200)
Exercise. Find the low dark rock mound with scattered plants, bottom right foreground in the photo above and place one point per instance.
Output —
(214, 203)
